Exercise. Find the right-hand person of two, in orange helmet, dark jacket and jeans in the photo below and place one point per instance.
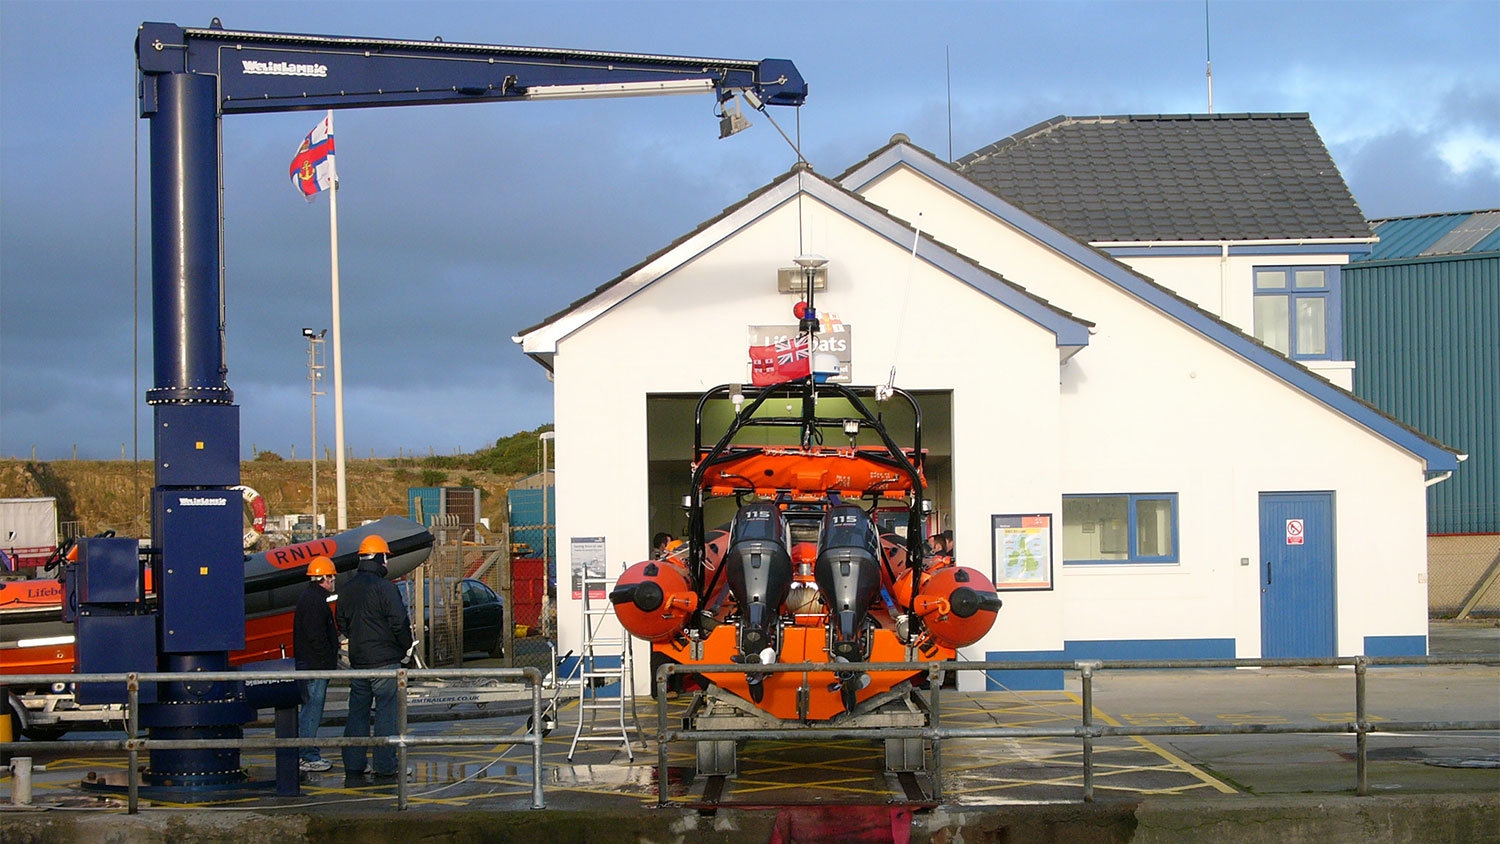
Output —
(374, 620)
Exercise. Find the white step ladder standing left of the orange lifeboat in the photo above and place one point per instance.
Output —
(605, 663)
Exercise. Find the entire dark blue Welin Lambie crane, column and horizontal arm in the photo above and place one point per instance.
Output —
(190, 80)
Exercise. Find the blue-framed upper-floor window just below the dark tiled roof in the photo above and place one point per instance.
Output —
(1300, 311)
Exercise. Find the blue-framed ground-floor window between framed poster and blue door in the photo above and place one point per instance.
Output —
(1120, 528)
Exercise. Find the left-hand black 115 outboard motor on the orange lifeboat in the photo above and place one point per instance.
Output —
(760, 579)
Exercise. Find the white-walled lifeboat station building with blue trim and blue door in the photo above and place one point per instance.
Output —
(1187, 489)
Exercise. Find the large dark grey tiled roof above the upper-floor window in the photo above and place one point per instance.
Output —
(1151, 178)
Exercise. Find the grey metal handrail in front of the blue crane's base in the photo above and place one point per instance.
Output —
(134, 744)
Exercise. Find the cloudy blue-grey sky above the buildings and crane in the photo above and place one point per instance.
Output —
(463, 226)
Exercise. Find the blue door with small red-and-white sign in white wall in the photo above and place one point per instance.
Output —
(1297, 575)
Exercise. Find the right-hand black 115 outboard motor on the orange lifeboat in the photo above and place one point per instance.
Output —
(848, 575)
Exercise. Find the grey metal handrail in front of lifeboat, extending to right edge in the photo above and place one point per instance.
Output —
(1087, 731)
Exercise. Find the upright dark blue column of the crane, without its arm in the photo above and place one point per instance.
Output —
(196, 515)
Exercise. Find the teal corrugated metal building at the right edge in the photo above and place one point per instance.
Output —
(1423, 323)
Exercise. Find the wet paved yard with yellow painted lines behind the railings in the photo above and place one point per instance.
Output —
(974, 773)
